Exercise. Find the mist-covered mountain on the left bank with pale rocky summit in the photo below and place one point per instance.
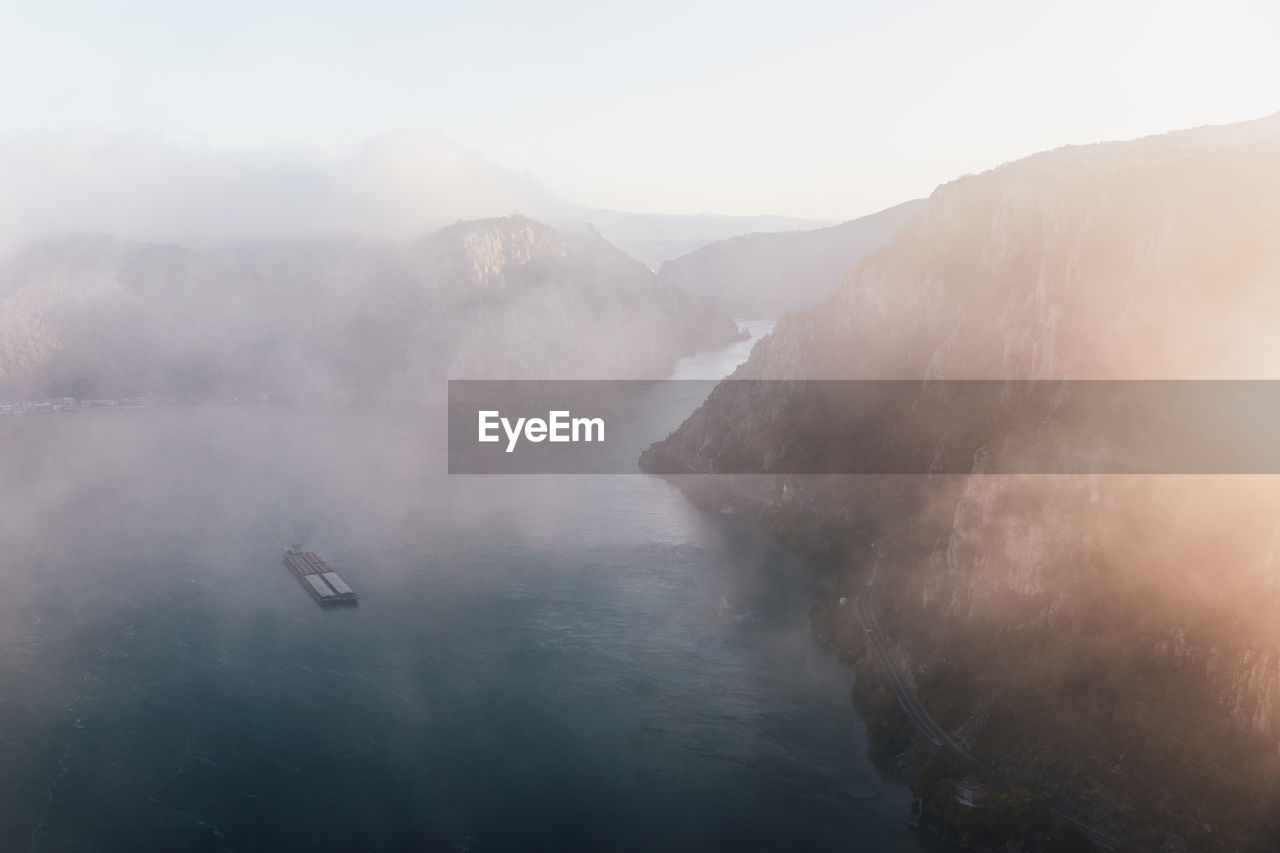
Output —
(509, 298)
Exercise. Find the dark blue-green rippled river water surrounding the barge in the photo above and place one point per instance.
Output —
(574, 664)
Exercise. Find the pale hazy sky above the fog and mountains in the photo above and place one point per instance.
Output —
(820, 110)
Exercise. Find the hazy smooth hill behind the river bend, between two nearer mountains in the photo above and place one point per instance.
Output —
(771, 275)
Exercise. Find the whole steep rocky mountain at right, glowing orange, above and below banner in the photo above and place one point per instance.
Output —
(1110, 641)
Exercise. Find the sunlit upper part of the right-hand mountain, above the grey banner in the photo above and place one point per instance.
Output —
(1148, 259)
